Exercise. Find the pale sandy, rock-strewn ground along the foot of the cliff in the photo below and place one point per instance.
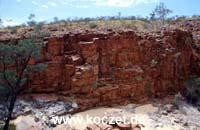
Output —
(130, 117)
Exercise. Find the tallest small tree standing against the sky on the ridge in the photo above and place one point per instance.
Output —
(161, 11)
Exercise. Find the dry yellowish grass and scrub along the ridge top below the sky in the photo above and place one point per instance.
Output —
(136, 23)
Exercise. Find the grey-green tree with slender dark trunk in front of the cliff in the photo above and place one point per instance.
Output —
(15, 70)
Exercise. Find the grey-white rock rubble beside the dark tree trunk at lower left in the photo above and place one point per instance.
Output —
(42, 110)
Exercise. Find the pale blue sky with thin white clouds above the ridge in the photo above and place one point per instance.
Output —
(14, 12)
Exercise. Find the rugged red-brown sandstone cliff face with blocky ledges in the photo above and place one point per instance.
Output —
(111, 67)
